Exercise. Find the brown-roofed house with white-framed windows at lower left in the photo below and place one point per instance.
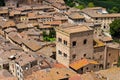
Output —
(21, 63)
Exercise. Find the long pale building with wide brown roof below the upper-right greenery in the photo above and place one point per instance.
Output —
(100, 15)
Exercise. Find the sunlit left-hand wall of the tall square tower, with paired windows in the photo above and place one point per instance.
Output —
(61, 48)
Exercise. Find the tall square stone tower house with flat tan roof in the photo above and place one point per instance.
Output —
(73, 43)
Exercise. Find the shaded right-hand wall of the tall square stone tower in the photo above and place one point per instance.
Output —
(84, 45)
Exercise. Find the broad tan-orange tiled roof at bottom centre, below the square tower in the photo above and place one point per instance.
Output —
(52, 74)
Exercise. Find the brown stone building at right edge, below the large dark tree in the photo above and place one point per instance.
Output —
(112, 55)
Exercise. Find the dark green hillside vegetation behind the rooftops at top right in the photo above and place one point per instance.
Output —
(112, 6)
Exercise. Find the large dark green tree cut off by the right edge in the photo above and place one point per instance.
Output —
(115, 30)
